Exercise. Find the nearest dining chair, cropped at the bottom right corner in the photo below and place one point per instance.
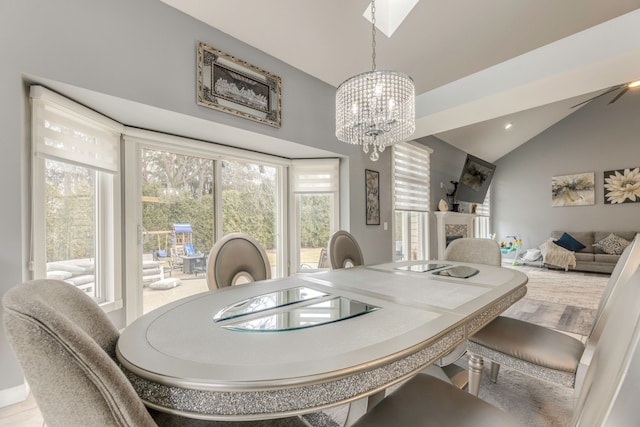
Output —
(607, 397)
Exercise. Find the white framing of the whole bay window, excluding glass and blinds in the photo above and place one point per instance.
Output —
(119, 206)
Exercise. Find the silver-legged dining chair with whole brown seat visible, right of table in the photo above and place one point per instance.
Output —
(542, 352)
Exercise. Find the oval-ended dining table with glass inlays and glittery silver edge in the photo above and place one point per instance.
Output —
(308, 342)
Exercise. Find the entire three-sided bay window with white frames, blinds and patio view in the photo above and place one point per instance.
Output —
(100, 233)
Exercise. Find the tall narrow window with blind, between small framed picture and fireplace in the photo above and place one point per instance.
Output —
(411, 181)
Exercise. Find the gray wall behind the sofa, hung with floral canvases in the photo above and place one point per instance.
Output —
(596, 138)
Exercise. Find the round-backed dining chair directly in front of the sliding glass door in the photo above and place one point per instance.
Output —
(236, 258)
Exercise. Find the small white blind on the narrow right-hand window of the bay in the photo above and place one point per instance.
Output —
(315, 176)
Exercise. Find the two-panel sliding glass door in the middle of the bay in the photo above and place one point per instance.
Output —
(185, 195)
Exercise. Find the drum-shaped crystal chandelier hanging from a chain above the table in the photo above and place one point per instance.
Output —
(376, 108)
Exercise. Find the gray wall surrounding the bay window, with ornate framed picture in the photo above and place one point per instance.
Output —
(145, 52)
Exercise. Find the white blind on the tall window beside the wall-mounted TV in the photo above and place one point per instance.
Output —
(411, 172)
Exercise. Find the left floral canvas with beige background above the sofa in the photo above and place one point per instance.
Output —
(573, 190)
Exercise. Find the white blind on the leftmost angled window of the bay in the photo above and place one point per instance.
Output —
(66, 131)
